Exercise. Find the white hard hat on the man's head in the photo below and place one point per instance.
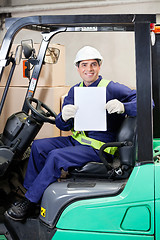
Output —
(87, 53)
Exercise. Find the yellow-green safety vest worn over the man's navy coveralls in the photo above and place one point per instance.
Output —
(81, 137)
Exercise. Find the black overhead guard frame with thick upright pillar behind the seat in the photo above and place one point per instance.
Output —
(139, 23)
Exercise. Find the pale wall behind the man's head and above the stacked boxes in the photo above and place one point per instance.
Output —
(117, 48)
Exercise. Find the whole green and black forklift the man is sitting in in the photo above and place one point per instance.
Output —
(100, 200)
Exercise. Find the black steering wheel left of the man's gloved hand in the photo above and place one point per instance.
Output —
(39, 112)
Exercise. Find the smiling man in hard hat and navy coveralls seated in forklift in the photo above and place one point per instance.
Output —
(49, 156)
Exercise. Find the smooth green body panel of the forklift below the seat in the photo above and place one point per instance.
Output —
(130, 215)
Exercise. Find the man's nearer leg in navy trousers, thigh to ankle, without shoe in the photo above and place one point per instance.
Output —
(73, 156)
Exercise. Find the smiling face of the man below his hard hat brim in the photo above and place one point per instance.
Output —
(89, 71)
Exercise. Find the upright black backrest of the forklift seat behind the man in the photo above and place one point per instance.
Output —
(128, 133)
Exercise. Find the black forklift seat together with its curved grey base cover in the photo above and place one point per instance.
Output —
(93, 180)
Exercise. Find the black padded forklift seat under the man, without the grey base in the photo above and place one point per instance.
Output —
(125, 160)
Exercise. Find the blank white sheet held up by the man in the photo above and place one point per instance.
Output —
(91, 113)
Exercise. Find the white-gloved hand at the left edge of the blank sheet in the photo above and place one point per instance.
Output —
(69, 111)
